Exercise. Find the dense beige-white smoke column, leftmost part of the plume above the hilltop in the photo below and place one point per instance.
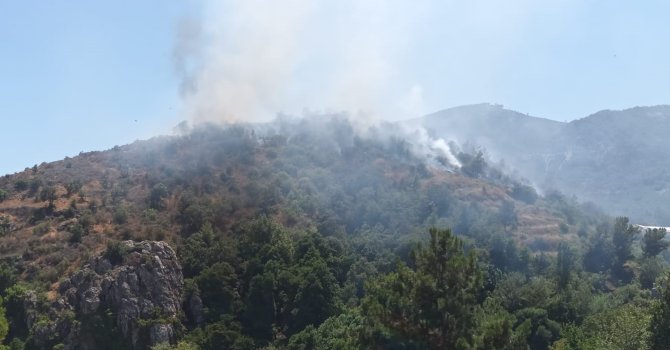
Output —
(242, 59)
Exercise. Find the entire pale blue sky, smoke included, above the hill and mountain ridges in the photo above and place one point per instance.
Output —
(88, 75)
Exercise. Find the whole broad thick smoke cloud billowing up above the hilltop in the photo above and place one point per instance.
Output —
(247, 60)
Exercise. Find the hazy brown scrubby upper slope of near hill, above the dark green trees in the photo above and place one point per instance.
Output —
(57, 214)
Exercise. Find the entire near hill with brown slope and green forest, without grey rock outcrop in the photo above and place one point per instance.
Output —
(308, 234)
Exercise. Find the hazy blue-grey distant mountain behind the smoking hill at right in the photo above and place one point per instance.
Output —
(617, 159)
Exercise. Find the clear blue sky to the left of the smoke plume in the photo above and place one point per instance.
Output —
(75, 75)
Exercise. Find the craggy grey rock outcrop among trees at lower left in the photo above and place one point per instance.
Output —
(138, 285)
